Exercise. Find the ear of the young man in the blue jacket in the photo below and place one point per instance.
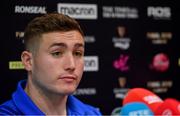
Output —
(26, 58)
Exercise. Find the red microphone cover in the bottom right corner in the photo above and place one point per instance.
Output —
(168, 108)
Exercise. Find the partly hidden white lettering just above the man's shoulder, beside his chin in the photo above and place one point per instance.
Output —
(85, 91)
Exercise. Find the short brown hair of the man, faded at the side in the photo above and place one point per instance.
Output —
(51, 22)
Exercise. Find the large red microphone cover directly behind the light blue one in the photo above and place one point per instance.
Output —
(144, 96)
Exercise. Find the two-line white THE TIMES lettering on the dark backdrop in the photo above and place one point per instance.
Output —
(120, 12)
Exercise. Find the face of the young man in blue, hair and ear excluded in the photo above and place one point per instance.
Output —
(59, 62)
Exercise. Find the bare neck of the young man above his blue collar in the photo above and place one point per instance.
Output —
(50, 104)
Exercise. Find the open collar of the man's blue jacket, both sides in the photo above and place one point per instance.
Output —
(27, 106)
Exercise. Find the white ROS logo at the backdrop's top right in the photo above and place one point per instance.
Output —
(159, 12)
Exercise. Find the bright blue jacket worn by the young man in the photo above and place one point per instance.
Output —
(21, 104)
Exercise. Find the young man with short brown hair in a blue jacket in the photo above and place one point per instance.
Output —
(53, 58)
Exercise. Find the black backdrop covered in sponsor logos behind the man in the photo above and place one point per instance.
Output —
(128, 44)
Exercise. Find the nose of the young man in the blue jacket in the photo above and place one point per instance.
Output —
(69, 62)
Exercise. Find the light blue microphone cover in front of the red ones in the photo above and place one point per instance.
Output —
(136, 109)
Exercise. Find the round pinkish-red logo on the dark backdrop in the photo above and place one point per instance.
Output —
(160, 62)
